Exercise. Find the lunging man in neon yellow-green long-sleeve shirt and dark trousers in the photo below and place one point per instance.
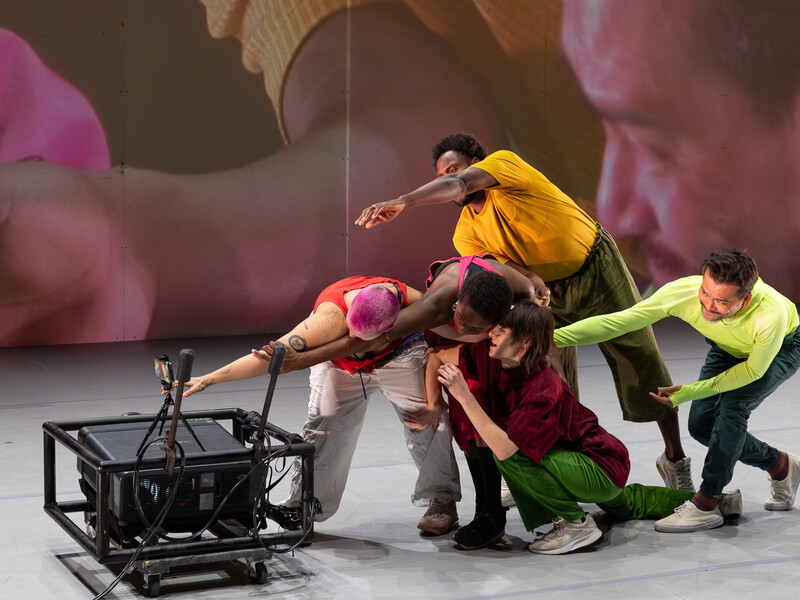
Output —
(755, 346)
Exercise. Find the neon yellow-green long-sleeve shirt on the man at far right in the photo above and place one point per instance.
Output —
(754, 333)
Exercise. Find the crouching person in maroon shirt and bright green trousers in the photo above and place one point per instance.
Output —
(550, 449)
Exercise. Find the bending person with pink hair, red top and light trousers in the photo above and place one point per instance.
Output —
(363, 307)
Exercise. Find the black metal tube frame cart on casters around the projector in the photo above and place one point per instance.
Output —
(227, 540)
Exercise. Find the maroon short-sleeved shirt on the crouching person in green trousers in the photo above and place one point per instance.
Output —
(538, 411)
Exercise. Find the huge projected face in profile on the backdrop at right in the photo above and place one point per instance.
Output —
(690, 163)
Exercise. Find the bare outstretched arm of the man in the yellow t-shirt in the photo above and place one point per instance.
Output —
(450, 188)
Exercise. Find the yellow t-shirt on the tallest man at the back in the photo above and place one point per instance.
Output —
(527, 220)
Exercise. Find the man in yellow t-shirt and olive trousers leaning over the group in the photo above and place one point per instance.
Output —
(513, 212)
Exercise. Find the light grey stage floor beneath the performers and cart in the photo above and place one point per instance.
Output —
(371, 547)
